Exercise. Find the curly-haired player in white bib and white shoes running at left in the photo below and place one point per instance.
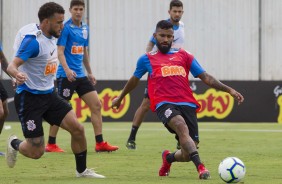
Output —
(34, 68)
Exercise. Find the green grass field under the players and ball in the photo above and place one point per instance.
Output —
(258, 145)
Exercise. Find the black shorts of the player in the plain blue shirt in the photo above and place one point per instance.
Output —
(80, 85)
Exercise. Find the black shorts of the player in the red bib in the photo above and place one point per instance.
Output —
(167, 111)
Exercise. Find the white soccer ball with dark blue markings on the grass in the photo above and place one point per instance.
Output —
(231, 170)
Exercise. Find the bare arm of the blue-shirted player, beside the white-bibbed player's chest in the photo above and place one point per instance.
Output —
(71, 75)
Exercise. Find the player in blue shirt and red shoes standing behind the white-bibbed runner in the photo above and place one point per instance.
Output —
(72, 53)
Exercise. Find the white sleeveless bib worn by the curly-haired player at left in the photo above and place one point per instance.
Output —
(41, 70)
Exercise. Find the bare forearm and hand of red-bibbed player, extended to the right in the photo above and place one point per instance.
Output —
(213, 82)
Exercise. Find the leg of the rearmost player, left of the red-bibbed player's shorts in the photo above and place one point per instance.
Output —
(138, 119)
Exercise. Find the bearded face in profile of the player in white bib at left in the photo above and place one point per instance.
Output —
(56, 25)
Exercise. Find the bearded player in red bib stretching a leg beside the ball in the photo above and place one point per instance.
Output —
(171, 96)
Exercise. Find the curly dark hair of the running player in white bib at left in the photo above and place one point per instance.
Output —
(48, 10)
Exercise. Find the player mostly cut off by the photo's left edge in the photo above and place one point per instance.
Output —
(4, 111)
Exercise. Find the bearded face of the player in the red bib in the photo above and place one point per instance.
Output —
(164, 38)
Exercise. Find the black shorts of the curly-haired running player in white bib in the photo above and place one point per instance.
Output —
(33, 108)
